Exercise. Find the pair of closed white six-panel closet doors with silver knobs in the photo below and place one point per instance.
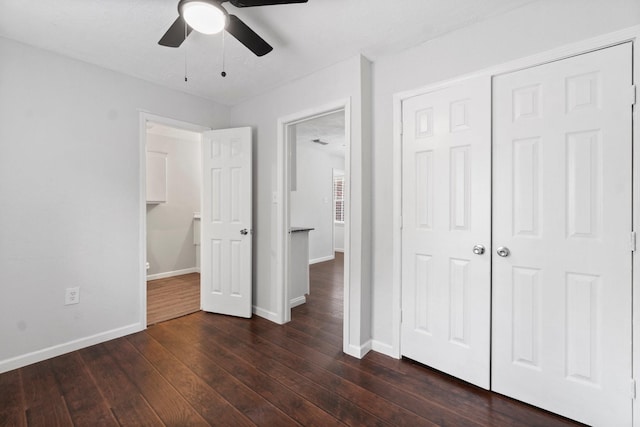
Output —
(516, 254)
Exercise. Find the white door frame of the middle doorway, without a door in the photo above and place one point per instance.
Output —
(281, 197)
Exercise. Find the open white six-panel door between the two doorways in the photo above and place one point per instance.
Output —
(226, 222)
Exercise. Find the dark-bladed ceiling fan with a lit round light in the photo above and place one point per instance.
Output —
(209, 17)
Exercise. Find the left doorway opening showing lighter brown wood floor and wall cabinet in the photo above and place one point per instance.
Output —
(171, 177)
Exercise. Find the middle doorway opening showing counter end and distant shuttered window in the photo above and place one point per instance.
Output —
(317, 147)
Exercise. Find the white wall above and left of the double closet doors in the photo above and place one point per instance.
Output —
(539, 26)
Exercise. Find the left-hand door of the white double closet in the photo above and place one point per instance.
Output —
(446, 217)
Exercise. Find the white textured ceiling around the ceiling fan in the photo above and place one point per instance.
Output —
(122, 35)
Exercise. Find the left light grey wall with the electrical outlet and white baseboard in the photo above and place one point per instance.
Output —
(70, 199)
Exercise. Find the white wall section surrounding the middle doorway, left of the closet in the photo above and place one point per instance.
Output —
(348, 79)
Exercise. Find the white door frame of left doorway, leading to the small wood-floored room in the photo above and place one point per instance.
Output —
(145, 117)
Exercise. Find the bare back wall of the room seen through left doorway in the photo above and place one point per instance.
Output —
(170, 245)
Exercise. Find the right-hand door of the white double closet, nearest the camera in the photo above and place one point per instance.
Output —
(562, 224)
